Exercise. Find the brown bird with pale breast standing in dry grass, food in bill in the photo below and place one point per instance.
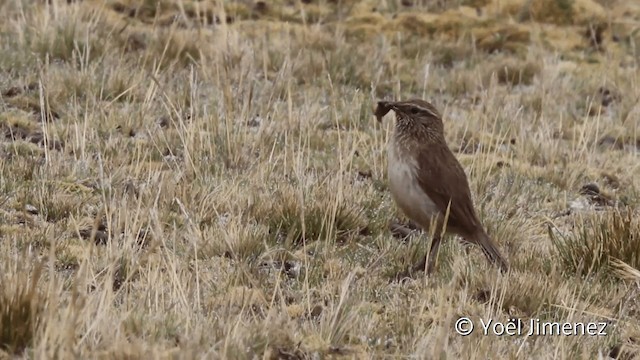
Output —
(428, 183)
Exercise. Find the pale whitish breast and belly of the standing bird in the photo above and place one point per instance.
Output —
(406, 191)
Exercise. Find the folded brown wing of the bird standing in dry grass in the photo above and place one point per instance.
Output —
(447, 183)
